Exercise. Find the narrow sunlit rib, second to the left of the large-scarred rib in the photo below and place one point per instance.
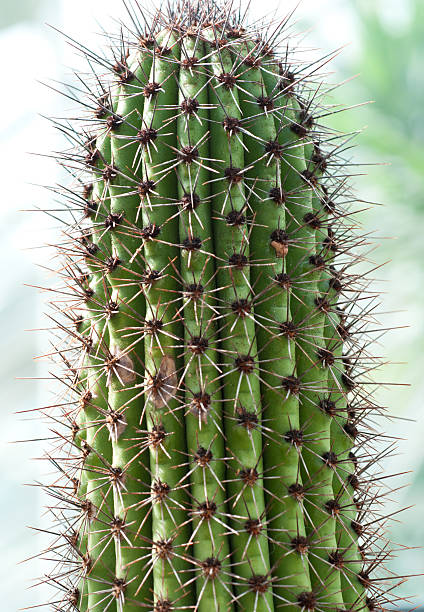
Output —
(99, 541)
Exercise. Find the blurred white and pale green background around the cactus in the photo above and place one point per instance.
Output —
(384, 43)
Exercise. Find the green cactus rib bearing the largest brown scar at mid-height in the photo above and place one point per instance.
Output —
(165, 418)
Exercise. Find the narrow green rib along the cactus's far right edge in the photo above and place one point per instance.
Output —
(346, 558)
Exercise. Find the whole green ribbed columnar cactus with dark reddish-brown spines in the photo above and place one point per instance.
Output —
(214, 375)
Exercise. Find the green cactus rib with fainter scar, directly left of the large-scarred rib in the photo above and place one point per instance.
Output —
(132, 524)
